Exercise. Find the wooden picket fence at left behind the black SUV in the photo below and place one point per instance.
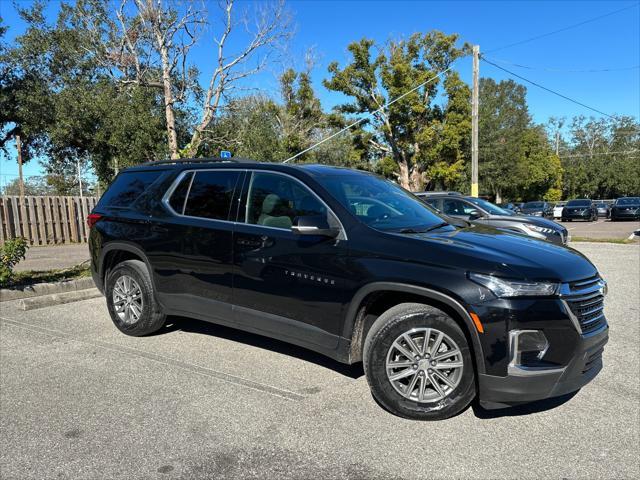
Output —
(45, 220)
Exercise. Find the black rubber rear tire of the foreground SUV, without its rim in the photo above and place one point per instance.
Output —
(151, 317)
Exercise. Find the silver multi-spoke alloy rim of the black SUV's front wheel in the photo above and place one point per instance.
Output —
(424, 365)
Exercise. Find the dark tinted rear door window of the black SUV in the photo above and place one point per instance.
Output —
(211, 194)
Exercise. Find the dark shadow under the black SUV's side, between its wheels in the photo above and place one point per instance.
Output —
(191, 325)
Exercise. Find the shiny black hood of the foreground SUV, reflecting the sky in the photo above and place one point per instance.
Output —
(488, 250)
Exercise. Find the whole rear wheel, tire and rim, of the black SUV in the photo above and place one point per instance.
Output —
(130, 299)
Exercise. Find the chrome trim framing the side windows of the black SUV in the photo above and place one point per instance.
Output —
(167, 196)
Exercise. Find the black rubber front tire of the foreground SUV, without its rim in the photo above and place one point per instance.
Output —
(384, 331)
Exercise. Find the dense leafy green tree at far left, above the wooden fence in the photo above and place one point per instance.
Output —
(71, 109)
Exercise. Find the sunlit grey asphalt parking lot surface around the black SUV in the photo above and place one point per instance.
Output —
(80, 400)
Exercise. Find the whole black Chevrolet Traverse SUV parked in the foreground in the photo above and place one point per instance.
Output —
(351, 265)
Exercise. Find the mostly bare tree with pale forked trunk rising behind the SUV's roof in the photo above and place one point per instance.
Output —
(147, 43)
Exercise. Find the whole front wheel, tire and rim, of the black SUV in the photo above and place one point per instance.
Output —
(418, 363)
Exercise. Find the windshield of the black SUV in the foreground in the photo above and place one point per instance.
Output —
(380, 203)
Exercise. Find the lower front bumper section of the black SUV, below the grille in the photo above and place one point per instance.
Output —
(513, 389)
